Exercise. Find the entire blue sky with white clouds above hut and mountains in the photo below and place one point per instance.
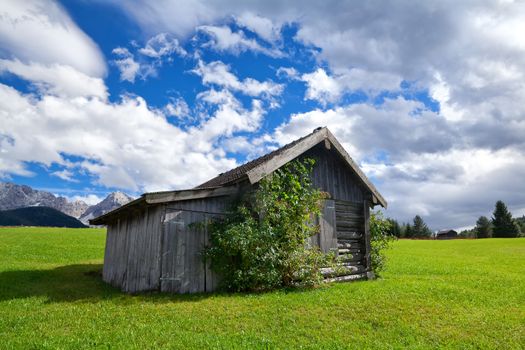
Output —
(140, 96)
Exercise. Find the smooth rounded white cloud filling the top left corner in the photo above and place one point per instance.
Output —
(42, 31)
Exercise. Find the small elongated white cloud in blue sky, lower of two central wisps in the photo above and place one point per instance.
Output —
(218, 73)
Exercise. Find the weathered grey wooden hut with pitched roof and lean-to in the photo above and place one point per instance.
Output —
(151, 243)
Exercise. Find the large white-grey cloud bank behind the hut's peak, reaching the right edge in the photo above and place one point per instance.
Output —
(422, 165)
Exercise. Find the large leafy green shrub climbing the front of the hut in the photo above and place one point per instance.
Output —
(262, 243)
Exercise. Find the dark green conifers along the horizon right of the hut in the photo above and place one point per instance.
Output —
(502, 224)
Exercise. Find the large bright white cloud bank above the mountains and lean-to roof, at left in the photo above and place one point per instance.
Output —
(125, 145)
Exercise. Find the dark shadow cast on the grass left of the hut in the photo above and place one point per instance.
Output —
(71, 283)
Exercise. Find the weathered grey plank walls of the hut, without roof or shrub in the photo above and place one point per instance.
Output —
(160, 247)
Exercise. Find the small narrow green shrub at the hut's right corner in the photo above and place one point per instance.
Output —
(380, 240)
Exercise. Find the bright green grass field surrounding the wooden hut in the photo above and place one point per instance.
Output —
(435, 294)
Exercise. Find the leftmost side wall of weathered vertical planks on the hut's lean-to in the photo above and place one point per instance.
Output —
(132, 254)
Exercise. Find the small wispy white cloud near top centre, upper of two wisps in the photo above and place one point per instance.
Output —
(223, 39)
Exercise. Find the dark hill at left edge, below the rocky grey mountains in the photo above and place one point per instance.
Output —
(38, 216)
